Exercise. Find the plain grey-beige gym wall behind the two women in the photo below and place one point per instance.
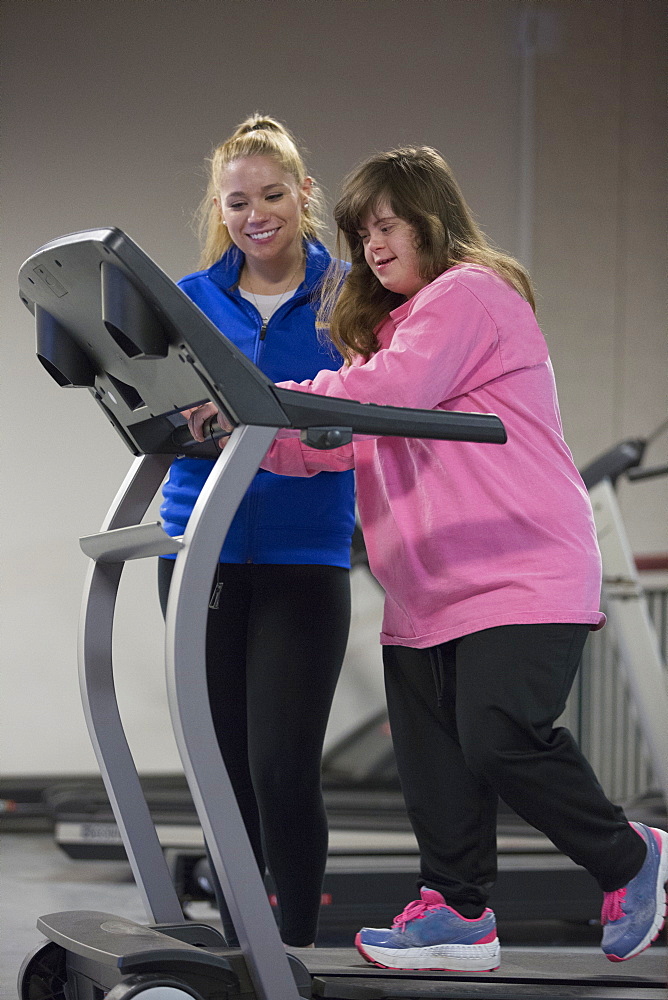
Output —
(550, 114)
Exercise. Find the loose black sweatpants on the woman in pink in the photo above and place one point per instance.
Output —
(471, 720)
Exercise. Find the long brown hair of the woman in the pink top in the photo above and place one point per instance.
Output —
(421, 189)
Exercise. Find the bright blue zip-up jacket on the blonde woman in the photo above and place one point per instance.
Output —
(282, 519)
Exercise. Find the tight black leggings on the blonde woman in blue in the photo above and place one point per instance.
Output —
(274, 650)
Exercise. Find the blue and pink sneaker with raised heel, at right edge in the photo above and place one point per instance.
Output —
(632, 917)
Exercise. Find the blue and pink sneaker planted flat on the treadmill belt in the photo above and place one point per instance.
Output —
(429, 934)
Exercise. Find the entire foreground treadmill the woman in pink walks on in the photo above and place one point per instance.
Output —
(109, 320)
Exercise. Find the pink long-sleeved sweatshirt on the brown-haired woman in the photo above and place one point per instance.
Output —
(462, 536)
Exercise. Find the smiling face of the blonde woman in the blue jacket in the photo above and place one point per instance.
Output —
(261, 204)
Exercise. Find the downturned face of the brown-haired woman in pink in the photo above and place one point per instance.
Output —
(391, 252)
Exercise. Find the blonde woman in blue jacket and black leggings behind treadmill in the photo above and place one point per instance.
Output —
(280, 604)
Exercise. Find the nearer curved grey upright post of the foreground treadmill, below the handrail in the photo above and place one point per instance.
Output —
(185, 649)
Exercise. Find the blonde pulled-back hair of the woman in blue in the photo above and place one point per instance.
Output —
(258, 135)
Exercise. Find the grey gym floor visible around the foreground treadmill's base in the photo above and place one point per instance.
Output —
(38, 878)
